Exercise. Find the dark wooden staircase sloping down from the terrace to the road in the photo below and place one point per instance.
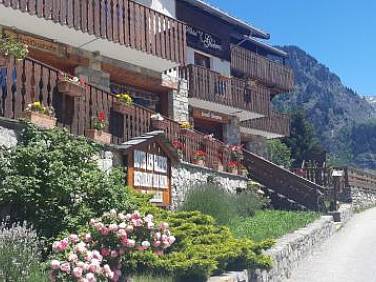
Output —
(285, 183)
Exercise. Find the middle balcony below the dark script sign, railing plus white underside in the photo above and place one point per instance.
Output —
(211, 91)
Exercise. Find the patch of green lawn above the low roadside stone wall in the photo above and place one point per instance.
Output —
(271, 224)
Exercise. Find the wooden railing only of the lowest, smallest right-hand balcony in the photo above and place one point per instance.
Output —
(276, 123)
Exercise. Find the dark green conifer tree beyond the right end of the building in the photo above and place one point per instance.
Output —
(302, 141)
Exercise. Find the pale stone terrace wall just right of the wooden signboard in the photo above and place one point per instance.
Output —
(186, 175)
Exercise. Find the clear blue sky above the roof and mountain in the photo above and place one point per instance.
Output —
(339, 33)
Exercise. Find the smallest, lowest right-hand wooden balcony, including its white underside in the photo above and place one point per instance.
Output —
(276, 125)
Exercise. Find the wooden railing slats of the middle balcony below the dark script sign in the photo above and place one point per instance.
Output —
(211, 86)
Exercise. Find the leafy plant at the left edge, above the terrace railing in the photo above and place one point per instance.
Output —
(11, 47)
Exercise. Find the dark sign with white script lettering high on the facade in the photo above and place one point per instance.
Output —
(204, 41)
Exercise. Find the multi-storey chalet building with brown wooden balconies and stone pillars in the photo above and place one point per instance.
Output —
(183, 59)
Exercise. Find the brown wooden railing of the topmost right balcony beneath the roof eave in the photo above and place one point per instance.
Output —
(251, 65)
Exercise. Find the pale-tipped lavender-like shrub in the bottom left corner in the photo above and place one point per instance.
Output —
(19, 253)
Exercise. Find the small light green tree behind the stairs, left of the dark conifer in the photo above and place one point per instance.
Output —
(278, 153)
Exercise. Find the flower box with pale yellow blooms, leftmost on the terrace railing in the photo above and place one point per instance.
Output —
(40, 115)
